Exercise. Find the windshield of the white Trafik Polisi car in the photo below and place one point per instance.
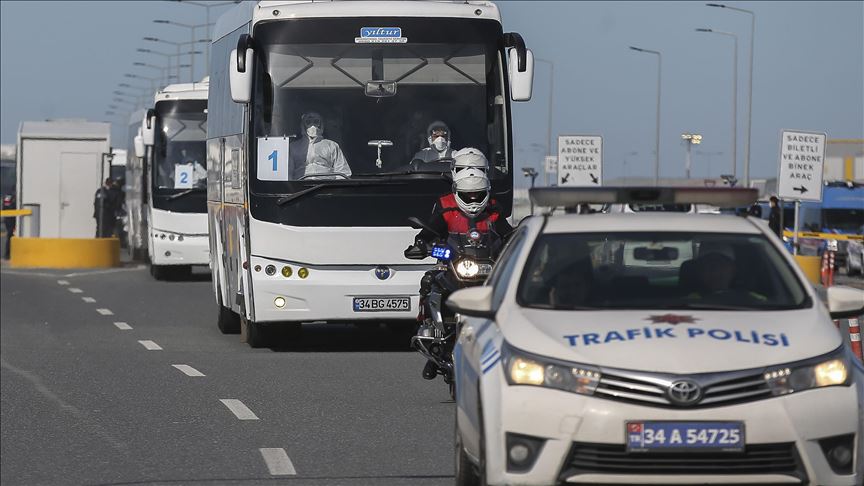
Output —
(658, 271)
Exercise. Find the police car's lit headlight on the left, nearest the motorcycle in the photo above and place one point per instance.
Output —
(525, 369)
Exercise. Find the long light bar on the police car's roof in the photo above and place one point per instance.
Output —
(573, 196)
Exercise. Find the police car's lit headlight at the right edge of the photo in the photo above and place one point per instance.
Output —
(831, 370)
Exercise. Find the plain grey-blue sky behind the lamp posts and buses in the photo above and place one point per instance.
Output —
(64, 59)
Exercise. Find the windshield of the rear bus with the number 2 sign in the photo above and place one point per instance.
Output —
(180, 148)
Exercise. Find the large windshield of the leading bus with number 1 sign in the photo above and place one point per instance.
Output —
(372, 103)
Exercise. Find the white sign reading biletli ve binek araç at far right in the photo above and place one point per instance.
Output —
(802, 155)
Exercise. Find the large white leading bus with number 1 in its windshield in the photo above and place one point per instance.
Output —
(290, 240)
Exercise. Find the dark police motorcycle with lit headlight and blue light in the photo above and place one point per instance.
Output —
(464, 260)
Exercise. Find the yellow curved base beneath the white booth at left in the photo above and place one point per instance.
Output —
(65, 252)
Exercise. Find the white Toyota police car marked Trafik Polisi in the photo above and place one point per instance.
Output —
(654, 348)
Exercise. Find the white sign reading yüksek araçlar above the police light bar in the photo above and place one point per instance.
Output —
(580, 160)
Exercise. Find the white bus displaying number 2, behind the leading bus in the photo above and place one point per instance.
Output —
(174, 199)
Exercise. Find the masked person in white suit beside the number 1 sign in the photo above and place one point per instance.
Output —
(313, 155)
